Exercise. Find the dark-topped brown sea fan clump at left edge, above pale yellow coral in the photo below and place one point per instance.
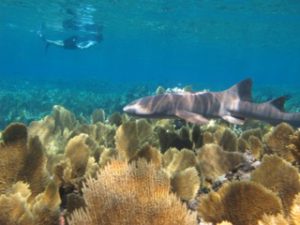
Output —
(21, 160)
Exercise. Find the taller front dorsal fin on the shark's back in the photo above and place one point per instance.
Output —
(242, 90)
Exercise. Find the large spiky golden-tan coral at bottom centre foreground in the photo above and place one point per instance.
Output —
(127, 194)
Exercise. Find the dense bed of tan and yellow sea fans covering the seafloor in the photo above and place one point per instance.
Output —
(127, 171)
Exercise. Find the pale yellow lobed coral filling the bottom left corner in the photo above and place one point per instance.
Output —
(42, 210)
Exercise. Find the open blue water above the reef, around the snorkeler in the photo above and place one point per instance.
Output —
(209, 44)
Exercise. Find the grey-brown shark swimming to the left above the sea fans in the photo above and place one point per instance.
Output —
(233, 105)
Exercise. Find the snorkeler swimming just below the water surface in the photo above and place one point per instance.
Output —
(74, 42)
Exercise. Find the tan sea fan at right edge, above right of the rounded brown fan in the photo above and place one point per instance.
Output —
(279, 176)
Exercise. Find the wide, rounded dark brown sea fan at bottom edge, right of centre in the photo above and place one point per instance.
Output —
(241, 203)
